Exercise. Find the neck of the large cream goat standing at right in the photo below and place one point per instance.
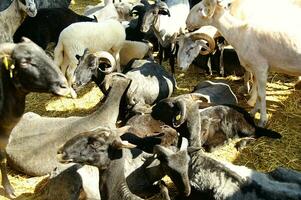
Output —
(228, 25)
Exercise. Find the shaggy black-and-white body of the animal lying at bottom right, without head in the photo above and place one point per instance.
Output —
(212, 179)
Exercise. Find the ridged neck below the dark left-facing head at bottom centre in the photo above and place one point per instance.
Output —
(112, 182)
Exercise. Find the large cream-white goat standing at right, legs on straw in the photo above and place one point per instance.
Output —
(262, 37)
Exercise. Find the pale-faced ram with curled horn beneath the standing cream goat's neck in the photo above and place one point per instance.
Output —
(192, 47)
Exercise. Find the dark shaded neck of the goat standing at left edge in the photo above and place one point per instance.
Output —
(13, 102)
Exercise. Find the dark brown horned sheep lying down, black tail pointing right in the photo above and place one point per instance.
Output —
(206, 125)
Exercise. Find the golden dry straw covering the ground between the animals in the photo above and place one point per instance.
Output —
(284, 109)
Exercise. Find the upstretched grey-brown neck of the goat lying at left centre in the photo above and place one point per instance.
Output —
(108, 113)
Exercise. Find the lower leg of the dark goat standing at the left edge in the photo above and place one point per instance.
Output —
(9, 190)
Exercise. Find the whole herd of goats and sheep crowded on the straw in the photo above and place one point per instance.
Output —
(139, 133)
